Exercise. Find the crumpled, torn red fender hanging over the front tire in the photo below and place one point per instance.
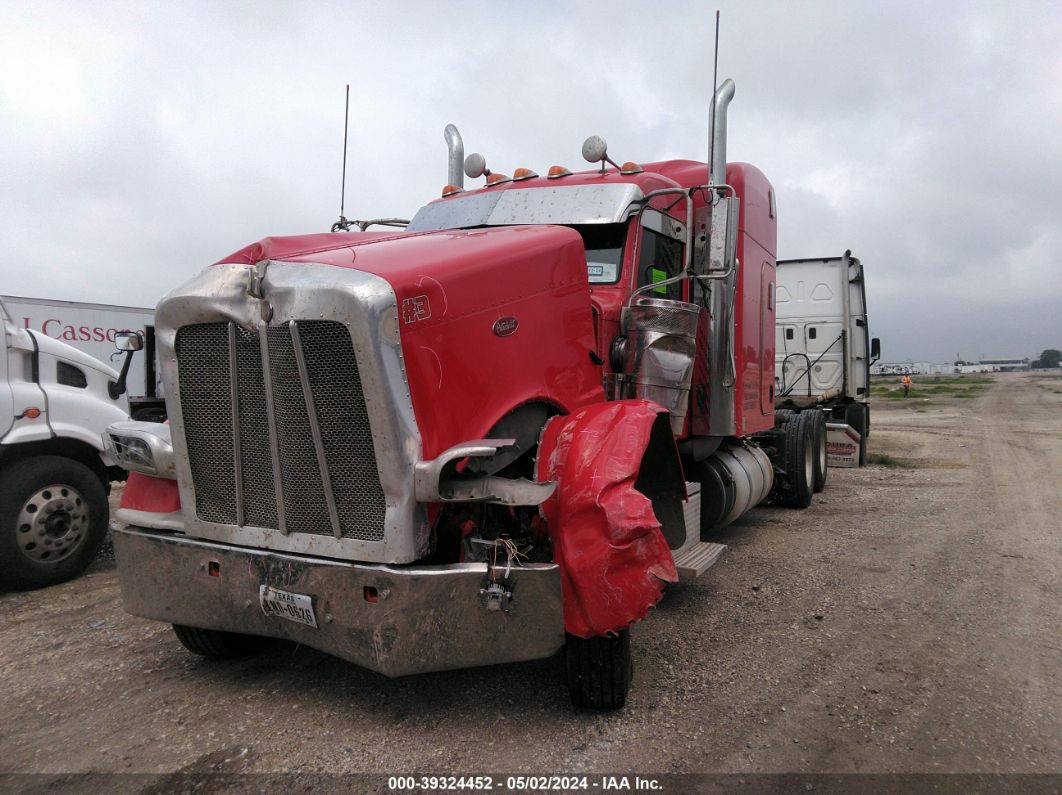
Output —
(614, 560)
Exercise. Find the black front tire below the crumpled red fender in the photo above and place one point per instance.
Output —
(599, 670)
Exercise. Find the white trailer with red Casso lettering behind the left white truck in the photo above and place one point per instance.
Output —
(92, 329)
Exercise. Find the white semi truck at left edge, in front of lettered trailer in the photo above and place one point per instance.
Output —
(56, 402)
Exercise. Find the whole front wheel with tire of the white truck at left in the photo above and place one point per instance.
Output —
(54, 520)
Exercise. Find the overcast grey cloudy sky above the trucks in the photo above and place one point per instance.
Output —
(141, 142)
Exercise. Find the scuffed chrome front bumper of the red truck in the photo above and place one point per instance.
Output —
(429, 618)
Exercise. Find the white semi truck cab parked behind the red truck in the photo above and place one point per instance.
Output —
(824, 350)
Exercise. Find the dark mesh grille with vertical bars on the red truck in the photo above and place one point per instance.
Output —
(233, 462)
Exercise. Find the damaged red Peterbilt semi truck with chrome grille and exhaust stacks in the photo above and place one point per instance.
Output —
(469, 442)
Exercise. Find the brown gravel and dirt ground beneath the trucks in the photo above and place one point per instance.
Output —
(909, 621)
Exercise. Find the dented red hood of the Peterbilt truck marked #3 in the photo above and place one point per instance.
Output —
(452, 289)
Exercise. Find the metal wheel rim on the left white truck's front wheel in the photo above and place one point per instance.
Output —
(53, 524)
